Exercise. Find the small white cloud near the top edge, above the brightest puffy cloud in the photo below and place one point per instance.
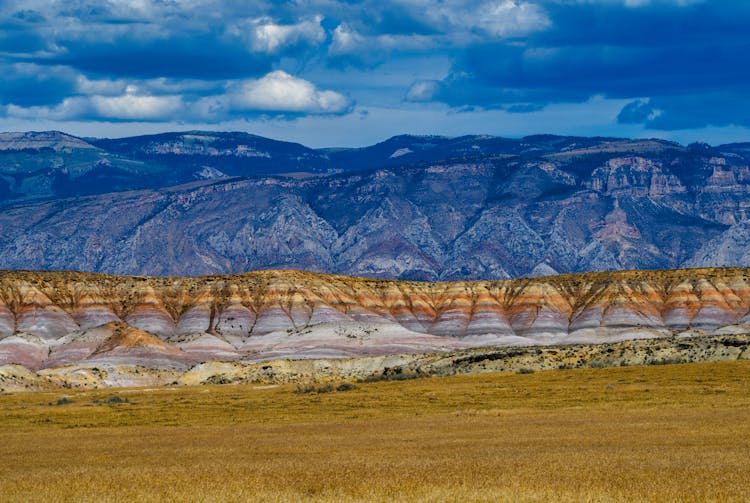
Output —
(264, 35)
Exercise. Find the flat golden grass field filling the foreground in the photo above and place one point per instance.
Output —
(667, 433)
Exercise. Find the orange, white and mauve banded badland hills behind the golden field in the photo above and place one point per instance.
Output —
(55, 319)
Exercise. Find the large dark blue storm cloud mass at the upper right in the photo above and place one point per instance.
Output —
(680, 56)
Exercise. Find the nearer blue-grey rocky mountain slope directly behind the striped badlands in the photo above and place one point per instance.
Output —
(444, 221)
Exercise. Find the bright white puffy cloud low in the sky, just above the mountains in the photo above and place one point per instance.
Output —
(280, 92)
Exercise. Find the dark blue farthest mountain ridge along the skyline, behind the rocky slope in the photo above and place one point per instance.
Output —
(52, 164)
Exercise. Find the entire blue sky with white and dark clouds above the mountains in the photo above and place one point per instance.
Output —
(351, 73)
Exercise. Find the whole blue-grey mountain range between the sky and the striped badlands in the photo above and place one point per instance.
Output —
(411, 207)
